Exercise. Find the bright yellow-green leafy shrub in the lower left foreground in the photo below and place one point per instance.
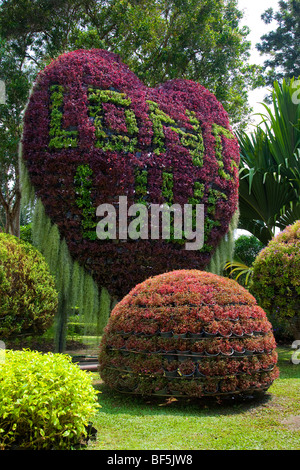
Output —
(46, 401)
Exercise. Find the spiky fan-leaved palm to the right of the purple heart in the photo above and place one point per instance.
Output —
(270, 167)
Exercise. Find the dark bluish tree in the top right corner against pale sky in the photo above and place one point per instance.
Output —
(282, 45)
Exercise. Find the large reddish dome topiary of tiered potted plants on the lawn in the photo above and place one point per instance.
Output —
(191, 333)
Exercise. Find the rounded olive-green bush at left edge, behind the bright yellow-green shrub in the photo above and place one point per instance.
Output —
(28, 298)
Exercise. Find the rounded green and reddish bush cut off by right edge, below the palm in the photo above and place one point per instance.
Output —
(276, 275)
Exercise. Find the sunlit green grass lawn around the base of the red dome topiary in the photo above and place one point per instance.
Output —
(271, 422)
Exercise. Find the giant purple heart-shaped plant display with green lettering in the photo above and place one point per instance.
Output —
(94, 133)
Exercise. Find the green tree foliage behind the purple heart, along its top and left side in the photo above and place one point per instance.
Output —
(159, 40)
